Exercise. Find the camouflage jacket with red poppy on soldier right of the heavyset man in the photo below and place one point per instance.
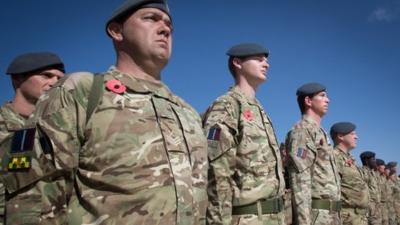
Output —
(245, 162)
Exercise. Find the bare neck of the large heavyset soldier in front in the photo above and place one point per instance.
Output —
(145, 70)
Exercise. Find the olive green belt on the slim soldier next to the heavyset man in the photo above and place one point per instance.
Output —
(267, 206)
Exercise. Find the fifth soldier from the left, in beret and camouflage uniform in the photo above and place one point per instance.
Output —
(355, 195)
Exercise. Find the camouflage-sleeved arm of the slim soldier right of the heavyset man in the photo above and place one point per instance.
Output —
(220, 128)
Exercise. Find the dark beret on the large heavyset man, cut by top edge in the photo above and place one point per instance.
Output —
(129, 6)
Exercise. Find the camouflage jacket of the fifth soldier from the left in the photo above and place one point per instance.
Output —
(354, 187)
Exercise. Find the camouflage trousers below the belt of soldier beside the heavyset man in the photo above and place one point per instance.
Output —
(266, 219)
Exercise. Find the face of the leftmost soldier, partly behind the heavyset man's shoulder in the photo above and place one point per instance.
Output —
(33, 86)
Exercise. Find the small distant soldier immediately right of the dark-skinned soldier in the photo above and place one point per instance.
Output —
(384, 191)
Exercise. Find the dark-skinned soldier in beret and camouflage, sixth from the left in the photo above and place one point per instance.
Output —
(372, 177)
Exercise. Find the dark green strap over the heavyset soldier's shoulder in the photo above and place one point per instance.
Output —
(96, 92)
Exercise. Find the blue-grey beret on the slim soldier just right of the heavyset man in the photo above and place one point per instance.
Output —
(247, 49)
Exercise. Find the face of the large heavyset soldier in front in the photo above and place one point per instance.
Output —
(146, 35)
